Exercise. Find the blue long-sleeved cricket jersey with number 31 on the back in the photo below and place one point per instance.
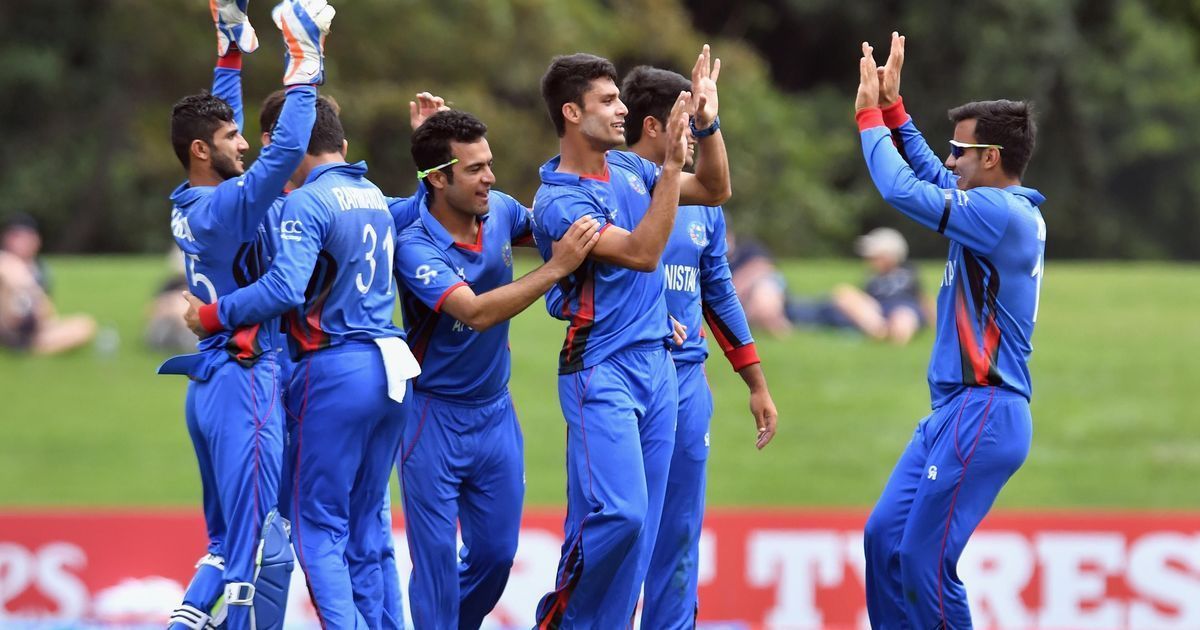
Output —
(338, 248)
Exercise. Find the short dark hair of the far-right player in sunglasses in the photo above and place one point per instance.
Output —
(1009, 124)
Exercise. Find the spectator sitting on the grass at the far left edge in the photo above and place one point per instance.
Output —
(28, 320)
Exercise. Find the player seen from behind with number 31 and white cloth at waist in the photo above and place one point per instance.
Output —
(333, 279)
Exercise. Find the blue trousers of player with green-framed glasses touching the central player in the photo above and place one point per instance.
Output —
(461, 463)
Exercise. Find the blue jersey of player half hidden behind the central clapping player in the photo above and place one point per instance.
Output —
(700, 289)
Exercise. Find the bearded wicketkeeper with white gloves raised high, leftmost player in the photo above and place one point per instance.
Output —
(233, 413)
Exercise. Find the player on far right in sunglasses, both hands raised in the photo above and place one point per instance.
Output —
(980, 430)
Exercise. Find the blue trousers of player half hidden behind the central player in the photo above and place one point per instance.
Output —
(674, 577)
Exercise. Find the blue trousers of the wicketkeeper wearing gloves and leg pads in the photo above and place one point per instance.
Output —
(236, 422)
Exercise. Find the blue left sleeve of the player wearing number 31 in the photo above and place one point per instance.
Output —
(284, 285)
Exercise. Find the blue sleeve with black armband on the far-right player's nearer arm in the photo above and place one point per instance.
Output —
(976, 219)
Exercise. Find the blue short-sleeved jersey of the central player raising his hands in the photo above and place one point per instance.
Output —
(610, 308)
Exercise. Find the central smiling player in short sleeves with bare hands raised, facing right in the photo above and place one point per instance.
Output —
(617, 383)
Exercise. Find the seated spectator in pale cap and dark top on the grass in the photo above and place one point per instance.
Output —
(890, 308)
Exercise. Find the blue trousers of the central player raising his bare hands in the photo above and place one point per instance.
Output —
(621, 422)
